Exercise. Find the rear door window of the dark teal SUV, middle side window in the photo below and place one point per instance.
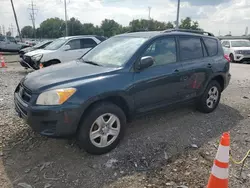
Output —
(190, 48)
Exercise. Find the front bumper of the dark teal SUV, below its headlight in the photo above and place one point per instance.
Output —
(54, 121)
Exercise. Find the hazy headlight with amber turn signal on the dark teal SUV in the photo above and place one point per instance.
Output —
(55, 97)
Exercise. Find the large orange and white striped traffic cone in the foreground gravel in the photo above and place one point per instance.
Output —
(219, 174)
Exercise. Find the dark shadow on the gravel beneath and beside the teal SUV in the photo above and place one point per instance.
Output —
(149, 141)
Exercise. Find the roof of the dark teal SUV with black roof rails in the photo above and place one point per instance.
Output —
(150, 34)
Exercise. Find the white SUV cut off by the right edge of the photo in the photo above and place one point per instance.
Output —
(238, 50)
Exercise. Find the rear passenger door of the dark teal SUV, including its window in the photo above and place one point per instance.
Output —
(197, 65)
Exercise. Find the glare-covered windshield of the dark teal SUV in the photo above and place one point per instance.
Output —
(114, 52)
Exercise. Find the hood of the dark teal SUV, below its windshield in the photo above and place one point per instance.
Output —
(64, 73)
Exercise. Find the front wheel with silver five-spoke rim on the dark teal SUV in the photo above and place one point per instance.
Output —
(89, 124)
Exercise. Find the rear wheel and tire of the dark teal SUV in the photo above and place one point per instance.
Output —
(209, 94)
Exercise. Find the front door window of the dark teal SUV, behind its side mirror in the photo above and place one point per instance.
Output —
(162, 50)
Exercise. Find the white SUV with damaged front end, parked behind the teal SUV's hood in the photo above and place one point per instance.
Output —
(61, 50)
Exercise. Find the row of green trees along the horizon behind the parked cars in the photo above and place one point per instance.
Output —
(55, 27)
